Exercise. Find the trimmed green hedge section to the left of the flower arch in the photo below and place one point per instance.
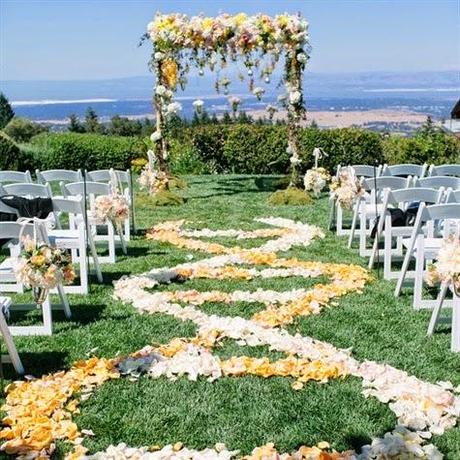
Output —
(90, 151)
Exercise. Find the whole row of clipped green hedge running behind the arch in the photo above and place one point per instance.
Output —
(239, 148)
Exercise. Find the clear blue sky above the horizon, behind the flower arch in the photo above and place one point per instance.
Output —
(92, 39)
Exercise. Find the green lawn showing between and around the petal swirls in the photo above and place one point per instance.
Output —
(249, 411)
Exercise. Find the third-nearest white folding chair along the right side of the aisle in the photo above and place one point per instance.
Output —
(401, 199)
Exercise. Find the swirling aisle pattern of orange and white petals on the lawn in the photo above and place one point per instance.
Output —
(39, 412)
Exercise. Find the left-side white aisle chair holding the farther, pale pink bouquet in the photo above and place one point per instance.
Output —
(92, 190)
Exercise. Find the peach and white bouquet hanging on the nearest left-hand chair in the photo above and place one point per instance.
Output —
(42, 267)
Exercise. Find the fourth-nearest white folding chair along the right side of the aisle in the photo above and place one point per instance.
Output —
(369, 206)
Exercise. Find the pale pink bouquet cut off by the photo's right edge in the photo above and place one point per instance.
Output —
(446, 269)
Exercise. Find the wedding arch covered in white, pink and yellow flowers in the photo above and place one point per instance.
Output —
(259, 42)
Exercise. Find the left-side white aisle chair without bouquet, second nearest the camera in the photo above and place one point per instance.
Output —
(74, 238)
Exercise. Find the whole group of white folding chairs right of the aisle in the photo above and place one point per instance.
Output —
(435, 203)
